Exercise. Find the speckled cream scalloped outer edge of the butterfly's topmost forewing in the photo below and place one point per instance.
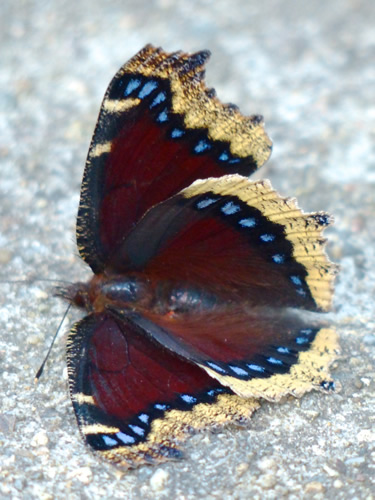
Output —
(224, 122)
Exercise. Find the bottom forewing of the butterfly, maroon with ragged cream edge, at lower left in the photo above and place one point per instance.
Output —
(133, 399)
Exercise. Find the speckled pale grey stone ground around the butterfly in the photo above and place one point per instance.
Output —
(309, 68)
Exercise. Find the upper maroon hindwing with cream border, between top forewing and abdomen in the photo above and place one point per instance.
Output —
(237, 239)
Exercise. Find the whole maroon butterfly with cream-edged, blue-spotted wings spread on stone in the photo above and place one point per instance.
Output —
(199, 273)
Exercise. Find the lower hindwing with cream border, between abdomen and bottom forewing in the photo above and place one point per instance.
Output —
(264, 352)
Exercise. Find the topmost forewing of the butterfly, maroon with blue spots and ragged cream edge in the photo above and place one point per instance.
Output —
(158, 130)
